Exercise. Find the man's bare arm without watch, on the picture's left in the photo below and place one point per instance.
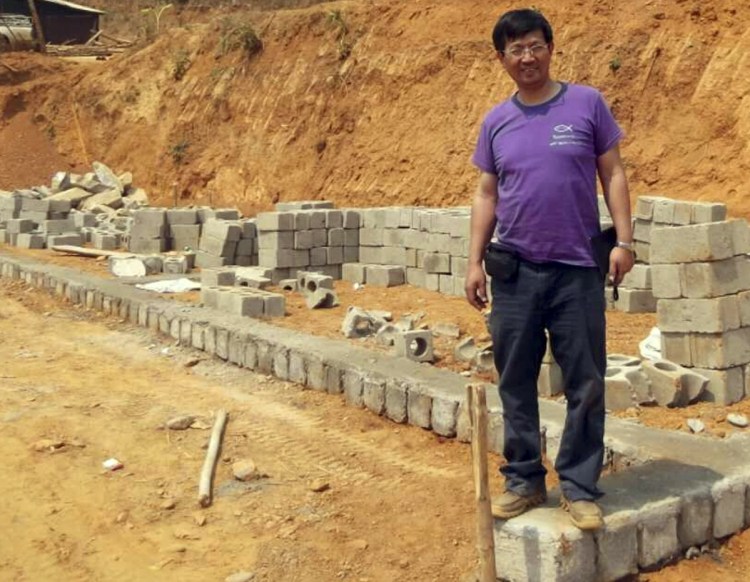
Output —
(482, 226)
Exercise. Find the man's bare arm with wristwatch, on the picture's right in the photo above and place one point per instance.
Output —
(615, 187)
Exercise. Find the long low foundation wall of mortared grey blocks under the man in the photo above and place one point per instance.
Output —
(692, 491)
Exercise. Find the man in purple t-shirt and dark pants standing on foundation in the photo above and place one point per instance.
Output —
(539, 154)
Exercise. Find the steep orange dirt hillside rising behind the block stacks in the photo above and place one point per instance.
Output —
(378, 102)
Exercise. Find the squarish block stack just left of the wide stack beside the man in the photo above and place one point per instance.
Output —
(319, 240)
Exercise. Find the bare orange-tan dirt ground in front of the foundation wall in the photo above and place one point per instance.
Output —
(398, 504)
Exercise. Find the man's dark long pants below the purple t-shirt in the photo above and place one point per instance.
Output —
(568, 302)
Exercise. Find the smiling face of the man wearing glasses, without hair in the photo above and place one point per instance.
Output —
(527, 60)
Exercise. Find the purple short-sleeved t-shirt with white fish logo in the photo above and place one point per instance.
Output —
(545, 159)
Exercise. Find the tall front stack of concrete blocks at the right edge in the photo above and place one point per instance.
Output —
(701, 278)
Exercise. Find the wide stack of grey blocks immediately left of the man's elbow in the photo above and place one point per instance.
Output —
(430, 246)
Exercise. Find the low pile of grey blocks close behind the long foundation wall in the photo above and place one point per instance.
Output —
(239, 291)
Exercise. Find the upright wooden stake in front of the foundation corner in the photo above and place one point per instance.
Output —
(476, 402)
